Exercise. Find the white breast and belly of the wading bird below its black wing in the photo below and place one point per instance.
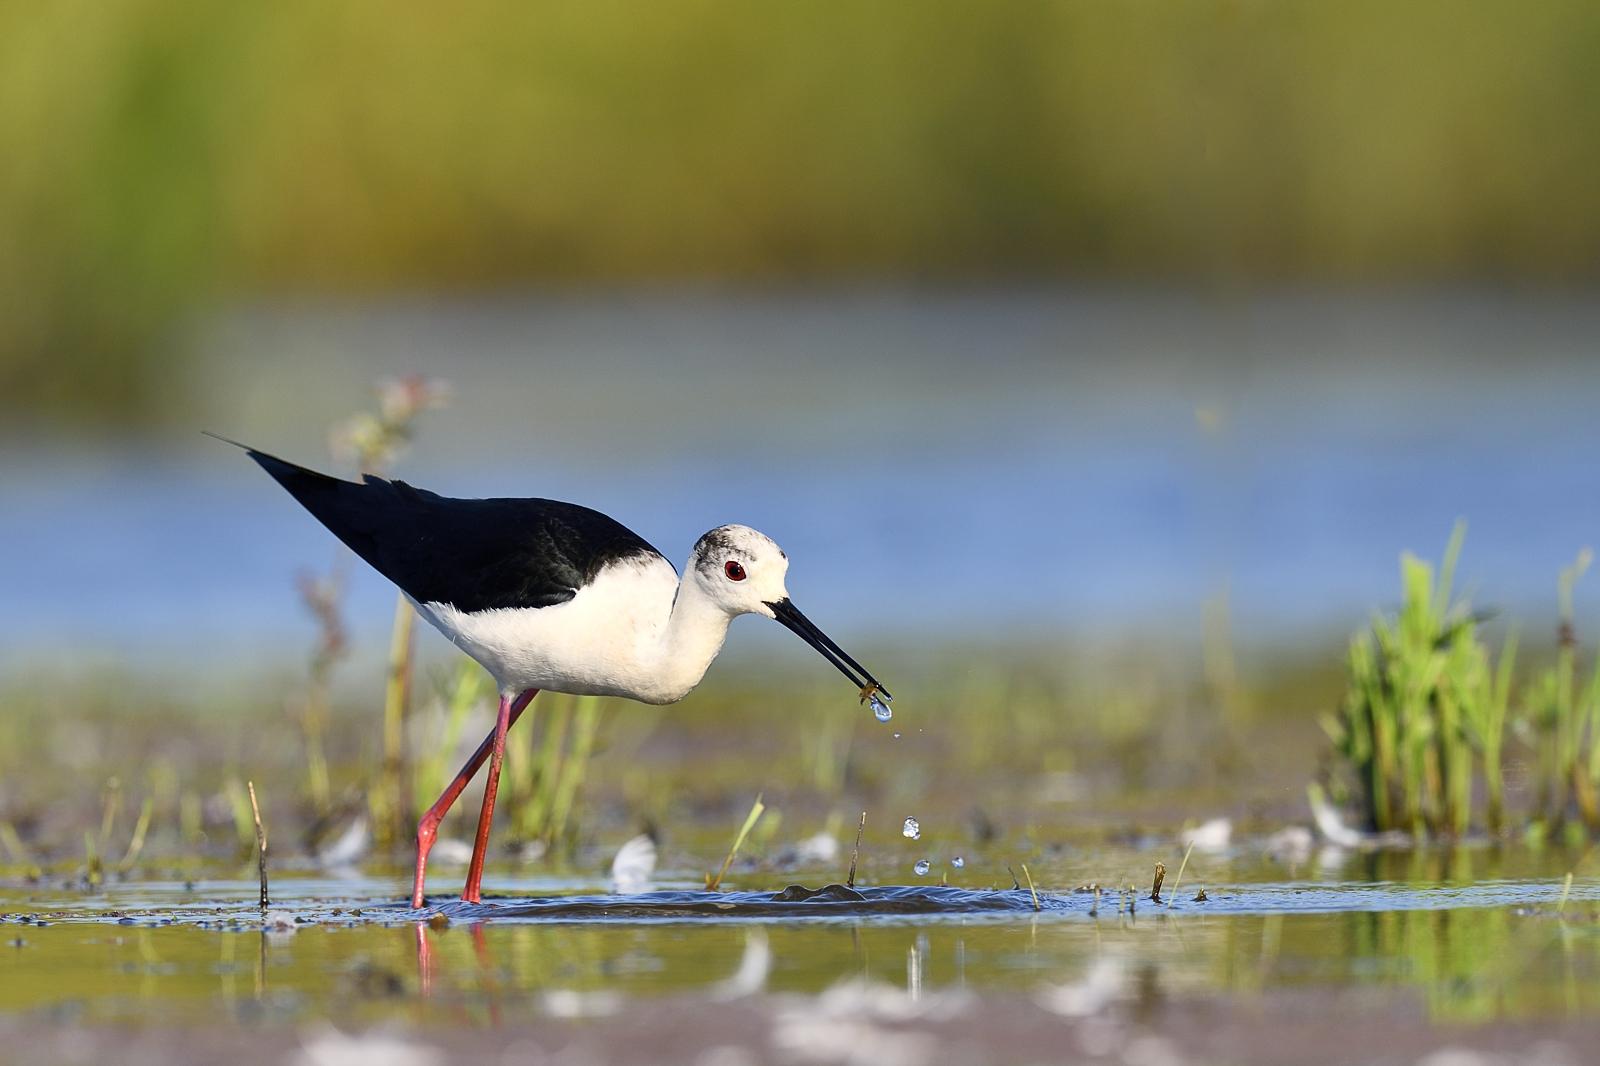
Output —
(606, 641)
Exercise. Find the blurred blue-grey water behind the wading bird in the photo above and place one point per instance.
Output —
(1142, 452)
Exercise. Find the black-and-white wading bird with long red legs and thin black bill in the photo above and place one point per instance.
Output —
(550, 595)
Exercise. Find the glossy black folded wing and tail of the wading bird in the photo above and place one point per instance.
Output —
(476, 555)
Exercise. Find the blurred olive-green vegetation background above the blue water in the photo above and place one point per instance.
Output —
(162, 158)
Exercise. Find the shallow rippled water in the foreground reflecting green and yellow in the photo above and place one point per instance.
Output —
(1470, 936)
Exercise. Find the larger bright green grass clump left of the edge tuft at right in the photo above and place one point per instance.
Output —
(1425, 710)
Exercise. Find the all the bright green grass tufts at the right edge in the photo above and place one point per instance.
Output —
(1430, 708)
